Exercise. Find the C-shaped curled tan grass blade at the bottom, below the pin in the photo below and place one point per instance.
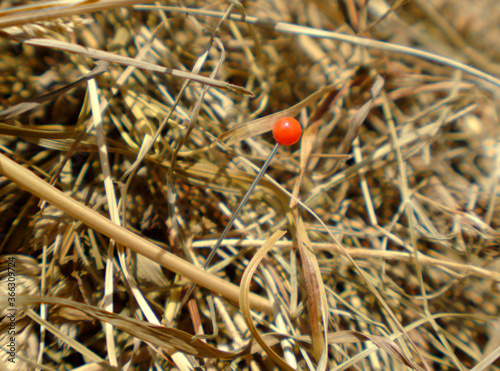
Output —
(246, 280)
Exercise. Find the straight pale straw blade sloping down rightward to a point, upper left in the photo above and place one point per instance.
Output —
(116, 58)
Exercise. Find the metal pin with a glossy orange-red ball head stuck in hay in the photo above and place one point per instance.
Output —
(286, 131)
